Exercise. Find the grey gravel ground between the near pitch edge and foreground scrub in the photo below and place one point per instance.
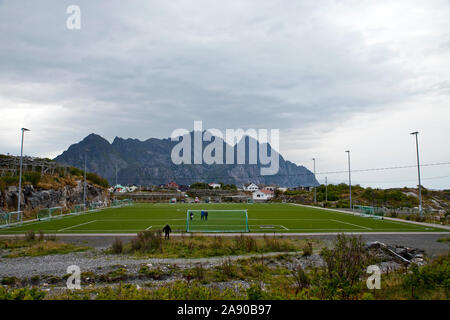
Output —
(96, 261)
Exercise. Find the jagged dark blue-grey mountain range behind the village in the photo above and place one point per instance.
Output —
(149, 163)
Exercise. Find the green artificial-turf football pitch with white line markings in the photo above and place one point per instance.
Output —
(280, 218)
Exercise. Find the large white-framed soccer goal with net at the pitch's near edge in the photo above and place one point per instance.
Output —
(217, 221)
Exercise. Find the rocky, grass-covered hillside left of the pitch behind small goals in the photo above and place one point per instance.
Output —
(46, 184)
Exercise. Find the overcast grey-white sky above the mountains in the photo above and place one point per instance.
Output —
(331, 75)
